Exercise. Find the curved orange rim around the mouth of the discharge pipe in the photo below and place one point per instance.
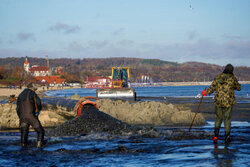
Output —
(90, 100)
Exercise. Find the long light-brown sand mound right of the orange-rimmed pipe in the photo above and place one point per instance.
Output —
(150, 113)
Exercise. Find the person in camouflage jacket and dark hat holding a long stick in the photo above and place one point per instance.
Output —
(224, 85)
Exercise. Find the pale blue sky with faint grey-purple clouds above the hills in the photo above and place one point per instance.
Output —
(209, 31)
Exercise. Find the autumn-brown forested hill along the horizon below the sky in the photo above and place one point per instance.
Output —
(158, 70)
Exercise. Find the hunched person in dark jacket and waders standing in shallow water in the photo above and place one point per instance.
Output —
(28, 109)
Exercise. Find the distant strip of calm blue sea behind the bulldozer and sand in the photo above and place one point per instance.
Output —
(242, 96)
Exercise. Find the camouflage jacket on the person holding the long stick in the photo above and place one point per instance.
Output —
(224, 86)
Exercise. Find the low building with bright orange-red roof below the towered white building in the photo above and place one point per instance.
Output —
(52, 80)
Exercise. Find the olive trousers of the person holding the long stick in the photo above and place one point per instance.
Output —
(223, 113)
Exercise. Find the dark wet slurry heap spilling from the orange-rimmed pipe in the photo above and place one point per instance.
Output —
(93, 121)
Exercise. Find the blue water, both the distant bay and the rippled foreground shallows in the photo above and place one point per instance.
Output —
(97, 150)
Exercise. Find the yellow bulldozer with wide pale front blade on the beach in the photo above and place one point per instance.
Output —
(120, 85)
